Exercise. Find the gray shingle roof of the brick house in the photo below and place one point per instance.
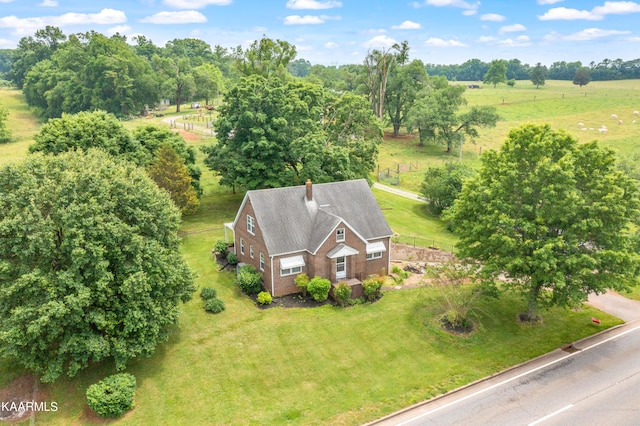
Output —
(289, 223)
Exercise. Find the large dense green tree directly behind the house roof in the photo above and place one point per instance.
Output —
(273, 133)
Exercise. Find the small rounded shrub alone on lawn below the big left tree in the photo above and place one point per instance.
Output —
(113, 395)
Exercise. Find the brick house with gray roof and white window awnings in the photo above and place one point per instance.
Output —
(332, 230)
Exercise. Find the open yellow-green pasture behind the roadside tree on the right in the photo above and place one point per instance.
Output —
(561, 104)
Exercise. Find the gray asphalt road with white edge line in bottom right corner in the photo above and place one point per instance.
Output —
(596, 385)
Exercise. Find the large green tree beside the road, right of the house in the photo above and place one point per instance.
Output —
(553, 216)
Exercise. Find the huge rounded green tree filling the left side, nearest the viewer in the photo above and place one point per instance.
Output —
(90, 266)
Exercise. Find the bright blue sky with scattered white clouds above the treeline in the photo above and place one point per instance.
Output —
(336, 32)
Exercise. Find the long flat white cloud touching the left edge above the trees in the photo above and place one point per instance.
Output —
(104, 17)
